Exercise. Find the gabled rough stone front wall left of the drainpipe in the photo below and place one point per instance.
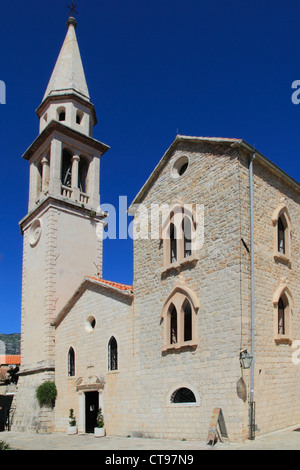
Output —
(212, 369)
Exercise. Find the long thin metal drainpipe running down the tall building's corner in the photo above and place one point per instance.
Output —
(252, 403)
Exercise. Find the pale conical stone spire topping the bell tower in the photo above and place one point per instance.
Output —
(68, 76)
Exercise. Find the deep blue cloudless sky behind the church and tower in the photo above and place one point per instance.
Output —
(154, 68)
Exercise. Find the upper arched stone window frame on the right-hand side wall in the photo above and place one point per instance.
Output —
(282, 213)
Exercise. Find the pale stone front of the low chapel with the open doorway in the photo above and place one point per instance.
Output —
(112, 310)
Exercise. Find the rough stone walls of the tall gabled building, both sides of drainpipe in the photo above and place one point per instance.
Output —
(218, 178)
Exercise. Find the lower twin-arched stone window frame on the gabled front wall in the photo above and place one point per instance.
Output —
(177, 299)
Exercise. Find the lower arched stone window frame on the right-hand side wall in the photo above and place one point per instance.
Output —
(283, 293)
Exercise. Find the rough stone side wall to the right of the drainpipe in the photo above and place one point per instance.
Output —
(277, 378)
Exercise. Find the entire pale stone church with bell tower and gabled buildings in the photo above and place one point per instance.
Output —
(213, 315)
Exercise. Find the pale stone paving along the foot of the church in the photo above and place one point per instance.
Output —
(288, 439)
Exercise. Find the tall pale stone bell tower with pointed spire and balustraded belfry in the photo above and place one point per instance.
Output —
(60, 242)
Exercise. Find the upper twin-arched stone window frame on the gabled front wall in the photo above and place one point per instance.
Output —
(175, 217)
